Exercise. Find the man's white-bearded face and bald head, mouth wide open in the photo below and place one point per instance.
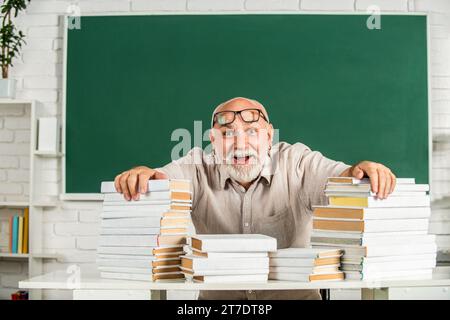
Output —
(242, 146)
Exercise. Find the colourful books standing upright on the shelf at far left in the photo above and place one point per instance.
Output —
(19, 233)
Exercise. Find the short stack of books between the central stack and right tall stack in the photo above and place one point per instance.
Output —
(306, 264)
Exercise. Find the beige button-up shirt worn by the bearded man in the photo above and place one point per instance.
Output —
(278, 203)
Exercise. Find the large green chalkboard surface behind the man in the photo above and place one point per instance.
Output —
(326, 80)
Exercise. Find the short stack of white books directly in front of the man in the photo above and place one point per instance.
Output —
(225, 258)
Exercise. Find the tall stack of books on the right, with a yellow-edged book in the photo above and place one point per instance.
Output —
(382, 239)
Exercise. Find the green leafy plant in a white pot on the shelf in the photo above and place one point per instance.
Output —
(11, 41)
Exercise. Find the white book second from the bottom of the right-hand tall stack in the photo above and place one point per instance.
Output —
(394, 265)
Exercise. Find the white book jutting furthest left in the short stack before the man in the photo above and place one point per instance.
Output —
(200, 263)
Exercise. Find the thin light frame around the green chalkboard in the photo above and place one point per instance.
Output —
(98, 196)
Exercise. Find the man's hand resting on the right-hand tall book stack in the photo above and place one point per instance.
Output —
(382, 180)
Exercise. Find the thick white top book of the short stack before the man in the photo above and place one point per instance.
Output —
(234, 242)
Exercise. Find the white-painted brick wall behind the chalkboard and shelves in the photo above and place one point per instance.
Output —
(70, 230)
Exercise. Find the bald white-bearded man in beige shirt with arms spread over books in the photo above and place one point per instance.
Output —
(248, 185)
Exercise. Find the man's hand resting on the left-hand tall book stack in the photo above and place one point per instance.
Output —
(132, 181)
